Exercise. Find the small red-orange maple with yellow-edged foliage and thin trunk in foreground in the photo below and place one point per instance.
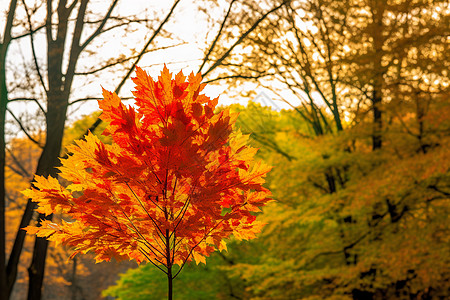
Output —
(175, 183)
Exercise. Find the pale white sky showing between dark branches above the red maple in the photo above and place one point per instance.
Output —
(187, 24)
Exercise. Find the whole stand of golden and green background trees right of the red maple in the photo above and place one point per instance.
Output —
(362, 181)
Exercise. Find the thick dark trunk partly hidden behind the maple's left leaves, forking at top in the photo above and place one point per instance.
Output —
(57, 104)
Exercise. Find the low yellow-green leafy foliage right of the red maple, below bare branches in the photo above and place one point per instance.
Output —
(381, 235)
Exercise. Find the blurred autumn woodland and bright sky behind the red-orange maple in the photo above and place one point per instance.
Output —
(351, 106)
